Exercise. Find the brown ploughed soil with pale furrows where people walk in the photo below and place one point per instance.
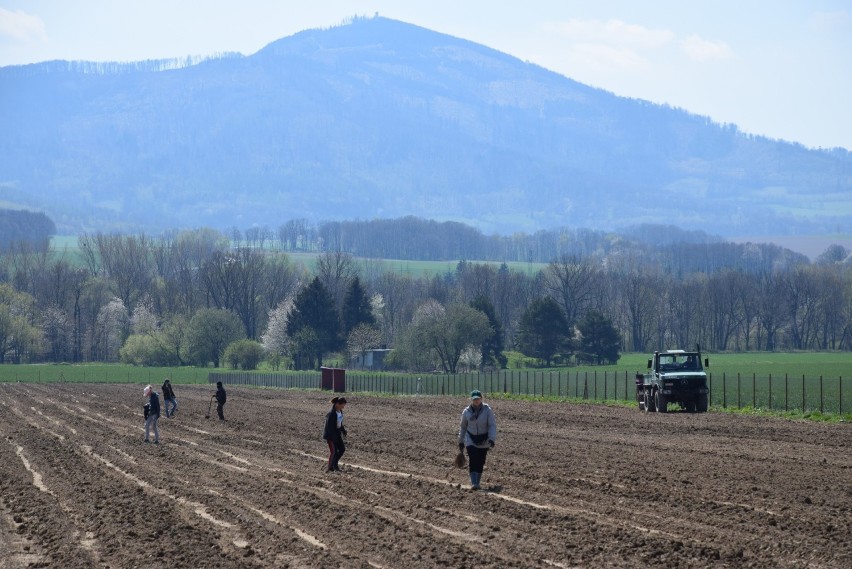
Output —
(567, 485)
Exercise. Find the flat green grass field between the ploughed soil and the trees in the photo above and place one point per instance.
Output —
(803, 382)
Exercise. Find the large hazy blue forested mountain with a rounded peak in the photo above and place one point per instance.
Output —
(382, 119)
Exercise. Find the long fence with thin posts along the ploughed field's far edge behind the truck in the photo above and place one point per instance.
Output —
(826, 395)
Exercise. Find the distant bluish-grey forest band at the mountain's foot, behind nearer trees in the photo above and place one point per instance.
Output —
(677, 251)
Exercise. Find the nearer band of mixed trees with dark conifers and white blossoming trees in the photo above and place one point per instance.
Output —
(200, 298)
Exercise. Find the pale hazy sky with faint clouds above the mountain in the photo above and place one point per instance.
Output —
(780, 68)
